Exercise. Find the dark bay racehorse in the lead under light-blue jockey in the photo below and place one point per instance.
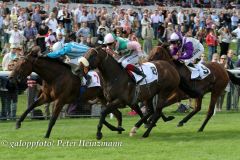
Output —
(59, 85)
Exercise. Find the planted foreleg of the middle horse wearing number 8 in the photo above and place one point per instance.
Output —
(109, 108)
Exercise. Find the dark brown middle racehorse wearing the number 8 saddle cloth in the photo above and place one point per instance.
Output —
(121, 90)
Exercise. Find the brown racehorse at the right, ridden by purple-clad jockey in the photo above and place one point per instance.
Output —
(215, 83)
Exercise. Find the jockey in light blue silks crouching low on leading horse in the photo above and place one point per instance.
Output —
(72, 50)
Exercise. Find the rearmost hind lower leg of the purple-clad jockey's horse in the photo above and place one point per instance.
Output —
(214, 97)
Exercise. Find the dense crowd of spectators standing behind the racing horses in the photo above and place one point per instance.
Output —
(23, 27)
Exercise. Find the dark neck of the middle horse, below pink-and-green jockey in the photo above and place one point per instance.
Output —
(111, 70)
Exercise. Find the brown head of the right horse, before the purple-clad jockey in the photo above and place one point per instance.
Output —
(160, 52)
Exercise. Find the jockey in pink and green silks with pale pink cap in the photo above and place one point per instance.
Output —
(131, 50)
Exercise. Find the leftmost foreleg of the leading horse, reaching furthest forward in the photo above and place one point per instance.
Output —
(41, 100)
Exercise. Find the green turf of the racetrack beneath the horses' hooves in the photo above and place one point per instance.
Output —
(219, 141)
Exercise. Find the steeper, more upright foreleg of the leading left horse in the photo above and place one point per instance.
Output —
(57, 109)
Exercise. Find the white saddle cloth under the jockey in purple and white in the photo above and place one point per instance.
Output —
(199, 71)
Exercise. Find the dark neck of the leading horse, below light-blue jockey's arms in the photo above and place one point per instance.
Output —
(46, 70)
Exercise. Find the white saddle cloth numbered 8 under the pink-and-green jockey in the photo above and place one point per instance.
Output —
(150, 70)
